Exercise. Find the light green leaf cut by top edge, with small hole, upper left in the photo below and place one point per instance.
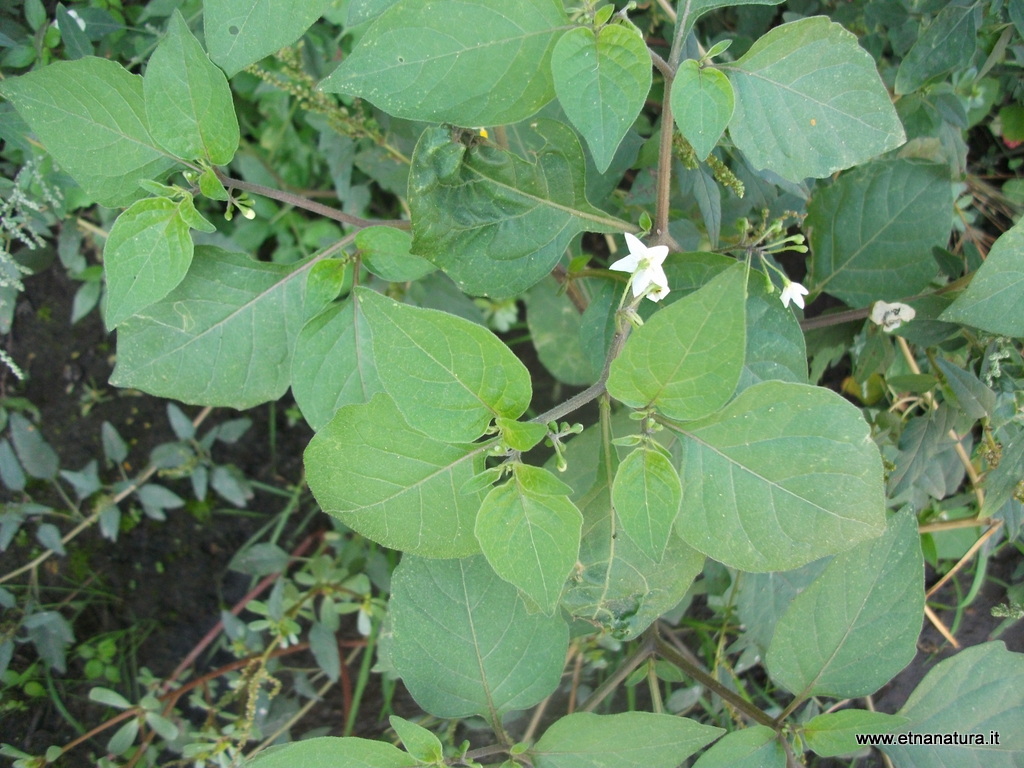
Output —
(242, 32)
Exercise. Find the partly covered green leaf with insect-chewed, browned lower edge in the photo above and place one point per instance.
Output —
(618, 586)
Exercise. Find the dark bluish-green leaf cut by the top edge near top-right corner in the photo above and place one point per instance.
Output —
(949, 44)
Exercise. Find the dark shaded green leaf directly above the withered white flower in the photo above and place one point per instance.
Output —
(873, 231)
